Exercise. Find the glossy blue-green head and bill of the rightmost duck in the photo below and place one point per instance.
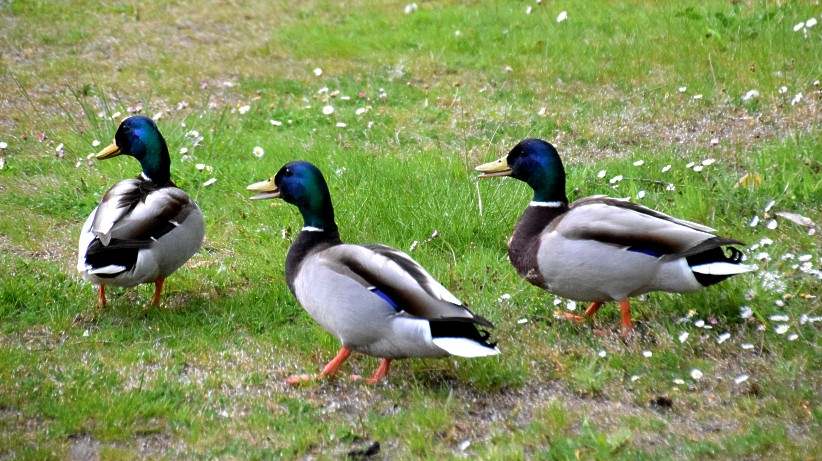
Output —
(535, 162)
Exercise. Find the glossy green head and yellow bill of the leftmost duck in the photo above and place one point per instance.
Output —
(139, 137)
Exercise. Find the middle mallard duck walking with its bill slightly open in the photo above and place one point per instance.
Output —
(376, 300)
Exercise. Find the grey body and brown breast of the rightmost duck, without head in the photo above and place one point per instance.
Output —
(602, 249)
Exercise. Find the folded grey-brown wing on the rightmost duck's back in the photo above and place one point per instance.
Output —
(634, 227)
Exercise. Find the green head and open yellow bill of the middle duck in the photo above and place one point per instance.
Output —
(301, 184)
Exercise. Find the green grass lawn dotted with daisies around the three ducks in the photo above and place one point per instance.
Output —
(202, 376)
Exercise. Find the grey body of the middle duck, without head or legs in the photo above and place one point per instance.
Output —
(380, 302)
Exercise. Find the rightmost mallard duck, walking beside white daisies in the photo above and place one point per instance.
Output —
(603, 249)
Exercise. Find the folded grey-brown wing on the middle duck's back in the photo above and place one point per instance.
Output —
(401, 281)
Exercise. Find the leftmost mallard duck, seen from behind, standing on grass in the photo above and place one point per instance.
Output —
(144, 228)
